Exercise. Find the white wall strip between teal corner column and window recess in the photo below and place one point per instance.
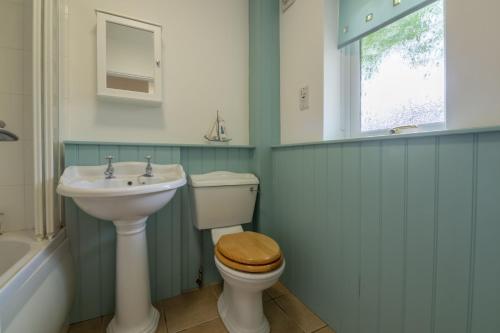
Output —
(301, 49)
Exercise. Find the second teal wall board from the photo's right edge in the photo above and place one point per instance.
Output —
(455, 199)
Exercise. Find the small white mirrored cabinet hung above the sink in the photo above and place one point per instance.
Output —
(129, 59)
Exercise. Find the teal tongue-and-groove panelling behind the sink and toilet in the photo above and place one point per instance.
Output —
(174, 246)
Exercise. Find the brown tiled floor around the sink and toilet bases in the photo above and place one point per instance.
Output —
(196, 312)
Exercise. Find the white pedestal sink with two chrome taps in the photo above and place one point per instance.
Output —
(127, 200)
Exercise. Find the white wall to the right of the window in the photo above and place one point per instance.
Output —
(473, 63)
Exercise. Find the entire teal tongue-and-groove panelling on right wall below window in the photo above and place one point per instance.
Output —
(393, 236)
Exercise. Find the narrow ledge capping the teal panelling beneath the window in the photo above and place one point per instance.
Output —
(476, 130)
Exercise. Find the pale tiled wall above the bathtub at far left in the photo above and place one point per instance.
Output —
(16, 158)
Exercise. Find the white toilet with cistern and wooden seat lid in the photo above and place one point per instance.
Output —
(248, 262)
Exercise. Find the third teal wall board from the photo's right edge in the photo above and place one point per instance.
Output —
(420, 234)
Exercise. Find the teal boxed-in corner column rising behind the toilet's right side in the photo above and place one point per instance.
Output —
(264, 98)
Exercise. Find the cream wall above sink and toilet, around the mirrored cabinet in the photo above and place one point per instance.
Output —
(205, 50)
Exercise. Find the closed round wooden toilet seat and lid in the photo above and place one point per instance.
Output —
(249, 252)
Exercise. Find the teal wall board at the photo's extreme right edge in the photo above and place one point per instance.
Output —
(484, 308)
